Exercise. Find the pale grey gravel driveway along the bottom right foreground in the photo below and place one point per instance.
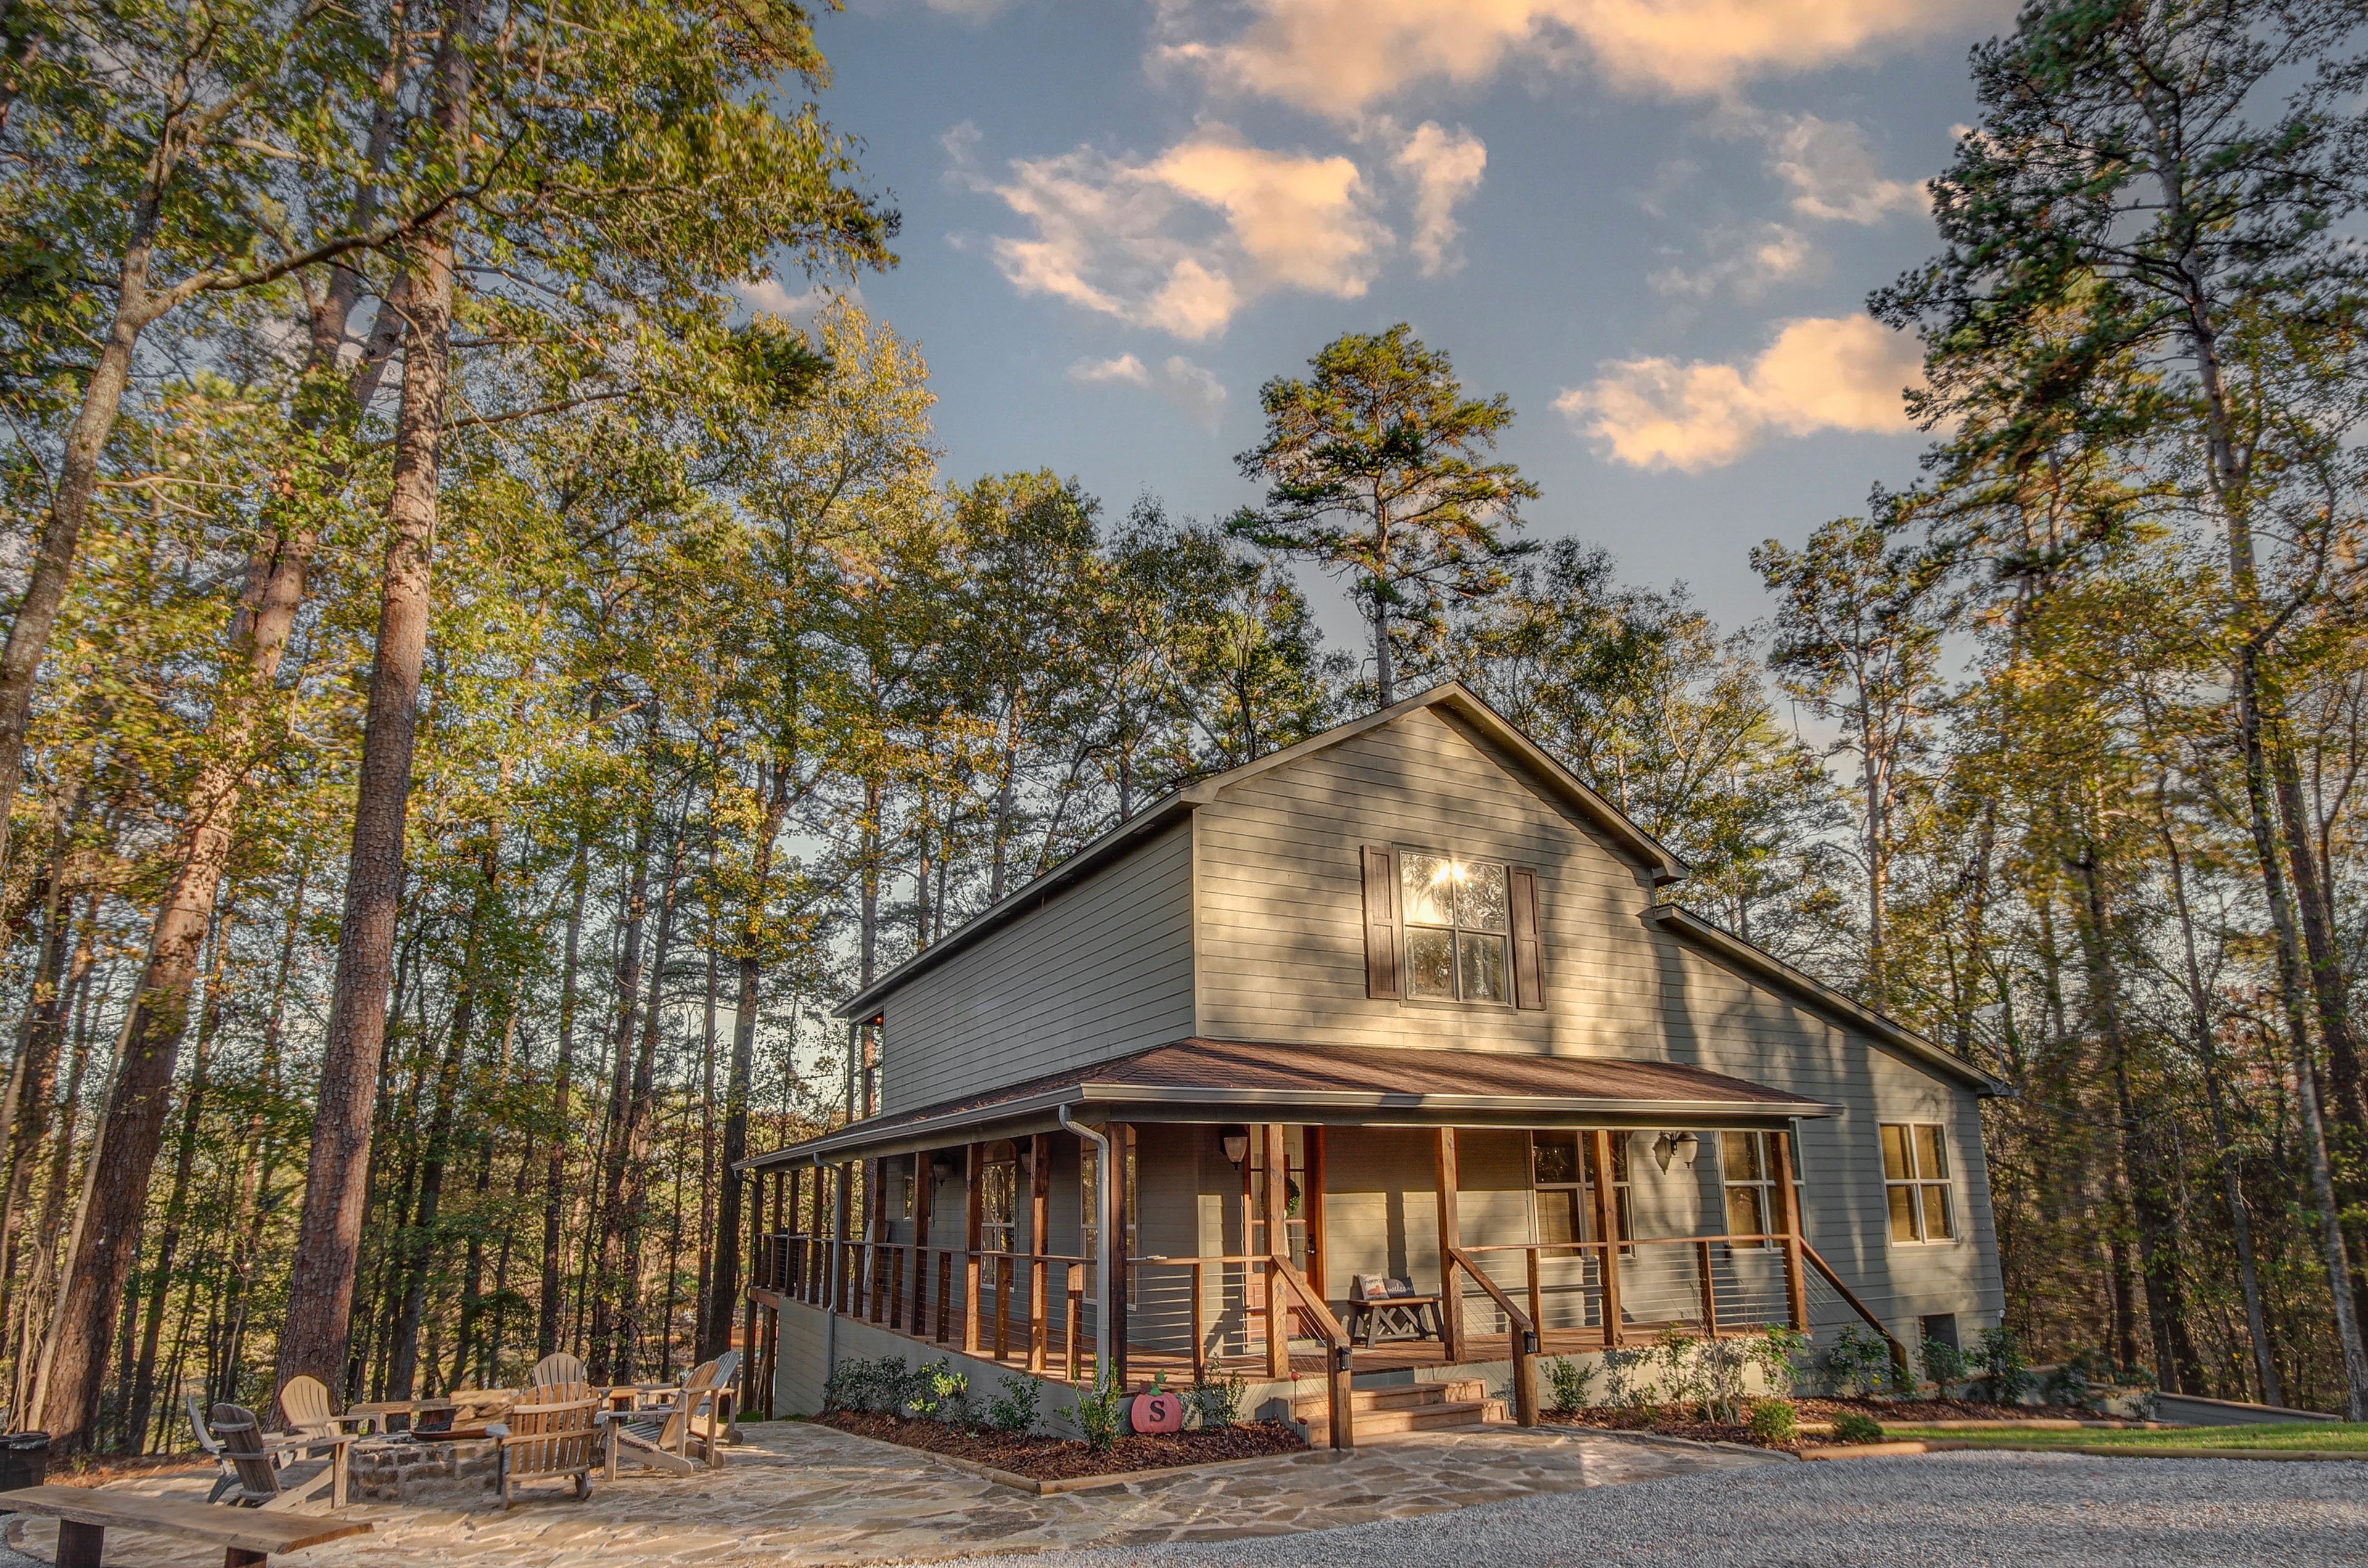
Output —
(2007, 1510)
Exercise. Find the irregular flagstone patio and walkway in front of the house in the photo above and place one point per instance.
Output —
(802, 1493)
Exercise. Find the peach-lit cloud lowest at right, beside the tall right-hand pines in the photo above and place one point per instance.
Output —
(1820, 375)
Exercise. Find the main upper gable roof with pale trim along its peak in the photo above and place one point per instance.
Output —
(1453, 698)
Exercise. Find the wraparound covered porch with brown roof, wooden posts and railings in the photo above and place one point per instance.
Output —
(1550, 1207)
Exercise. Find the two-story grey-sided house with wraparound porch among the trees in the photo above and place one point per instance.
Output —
(1521, 1103)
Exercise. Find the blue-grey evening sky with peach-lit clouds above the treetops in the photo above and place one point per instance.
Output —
(1649, 221)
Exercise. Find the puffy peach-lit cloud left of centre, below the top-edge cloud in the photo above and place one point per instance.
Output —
(1185, 240)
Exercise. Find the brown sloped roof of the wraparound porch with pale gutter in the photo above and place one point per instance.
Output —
(1206, 1081)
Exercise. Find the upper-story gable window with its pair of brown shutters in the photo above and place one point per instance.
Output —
(1443, 927)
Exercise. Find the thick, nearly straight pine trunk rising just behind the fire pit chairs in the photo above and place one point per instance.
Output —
(337, 1176)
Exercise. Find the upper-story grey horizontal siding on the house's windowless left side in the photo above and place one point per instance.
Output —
(1102, 970)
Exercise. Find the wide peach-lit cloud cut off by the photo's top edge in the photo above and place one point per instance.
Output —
(1344, 56)
